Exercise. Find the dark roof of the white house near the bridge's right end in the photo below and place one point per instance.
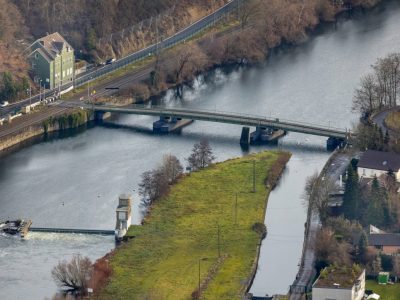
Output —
(379, 160)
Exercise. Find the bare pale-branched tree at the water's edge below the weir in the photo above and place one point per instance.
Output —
(73, 276)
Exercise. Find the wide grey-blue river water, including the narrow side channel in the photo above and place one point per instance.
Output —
(74, 182)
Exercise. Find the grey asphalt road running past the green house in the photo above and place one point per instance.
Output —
(179, 37)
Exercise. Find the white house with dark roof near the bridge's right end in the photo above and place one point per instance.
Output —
(375, 163)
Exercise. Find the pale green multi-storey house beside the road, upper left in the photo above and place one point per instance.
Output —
(52, 61)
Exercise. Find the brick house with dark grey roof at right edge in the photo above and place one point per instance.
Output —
(387, 243)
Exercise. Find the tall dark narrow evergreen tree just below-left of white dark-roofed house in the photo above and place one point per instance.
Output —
(352, 197)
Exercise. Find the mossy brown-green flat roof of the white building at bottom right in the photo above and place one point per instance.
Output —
(338, 277)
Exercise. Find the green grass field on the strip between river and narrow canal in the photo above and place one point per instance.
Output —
(162, 261)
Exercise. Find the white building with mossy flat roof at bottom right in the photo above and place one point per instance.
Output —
(340, 283)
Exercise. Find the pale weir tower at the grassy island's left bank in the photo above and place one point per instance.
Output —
(123, 212)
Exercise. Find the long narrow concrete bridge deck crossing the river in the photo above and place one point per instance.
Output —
(334, 134)
